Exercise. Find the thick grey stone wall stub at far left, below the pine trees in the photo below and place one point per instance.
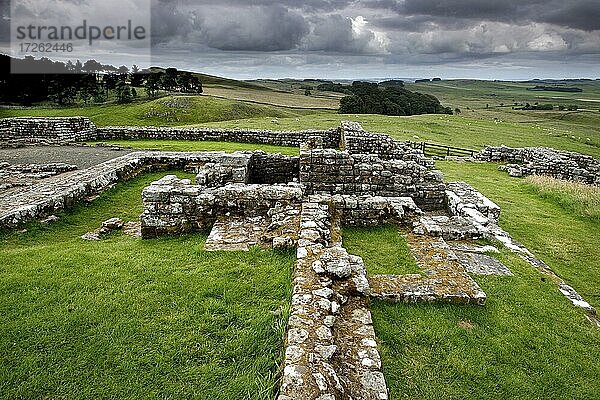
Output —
(16, 132)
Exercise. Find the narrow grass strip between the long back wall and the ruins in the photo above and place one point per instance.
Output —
(194, 145)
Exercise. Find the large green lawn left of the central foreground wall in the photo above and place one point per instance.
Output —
(129, 319)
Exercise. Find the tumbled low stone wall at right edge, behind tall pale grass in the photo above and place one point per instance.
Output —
(565, 165)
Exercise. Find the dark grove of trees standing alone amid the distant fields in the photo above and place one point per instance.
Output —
(373, 98)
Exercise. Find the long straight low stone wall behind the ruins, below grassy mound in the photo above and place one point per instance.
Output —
(331, 138)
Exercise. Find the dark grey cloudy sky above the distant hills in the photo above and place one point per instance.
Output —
(491, 39)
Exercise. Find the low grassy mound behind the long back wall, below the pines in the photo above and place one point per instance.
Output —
(166, 111)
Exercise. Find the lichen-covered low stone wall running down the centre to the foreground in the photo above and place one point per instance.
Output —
(331, 350)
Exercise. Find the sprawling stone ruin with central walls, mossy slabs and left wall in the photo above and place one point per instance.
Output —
(274, 201)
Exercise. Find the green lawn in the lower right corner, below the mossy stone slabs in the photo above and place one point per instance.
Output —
(527, 342)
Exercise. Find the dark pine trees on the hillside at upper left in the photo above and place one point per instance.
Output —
(90, 82)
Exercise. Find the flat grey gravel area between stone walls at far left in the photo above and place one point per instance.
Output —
(82, 156)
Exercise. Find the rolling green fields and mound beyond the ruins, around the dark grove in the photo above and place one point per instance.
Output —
(486, 117)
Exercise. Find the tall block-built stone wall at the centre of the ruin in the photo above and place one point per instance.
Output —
(328, 171)
